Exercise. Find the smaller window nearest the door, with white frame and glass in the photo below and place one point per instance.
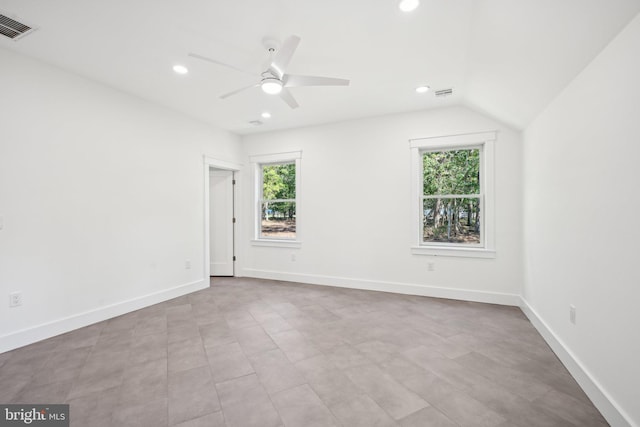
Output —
(277, 179)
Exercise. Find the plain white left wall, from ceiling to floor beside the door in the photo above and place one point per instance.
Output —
(102, 197)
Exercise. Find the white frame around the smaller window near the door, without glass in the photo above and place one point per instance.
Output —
(257, 162)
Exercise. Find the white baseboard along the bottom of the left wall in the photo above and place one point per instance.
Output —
(50, 329)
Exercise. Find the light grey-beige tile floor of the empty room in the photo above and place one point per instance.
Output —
(249, 352)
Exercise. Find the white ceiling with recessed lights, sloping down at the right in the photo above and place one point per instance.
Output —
(507, 58)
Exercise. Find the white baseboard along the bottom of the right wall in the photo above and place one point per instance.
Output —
(611, 411)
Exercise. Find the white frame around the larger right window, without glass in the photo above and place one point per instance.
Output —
(483, 140)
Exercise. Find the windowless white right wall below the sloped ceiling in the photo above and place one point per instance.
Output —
(581, 231)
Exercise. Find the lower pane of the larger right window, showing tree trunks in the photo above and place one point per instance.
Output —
(451, 220)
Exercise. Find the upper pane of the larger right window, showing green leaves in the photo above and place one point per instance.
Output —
(451, 172)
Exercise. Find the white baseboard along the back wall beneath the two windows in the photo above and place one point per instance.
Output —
(383, 286)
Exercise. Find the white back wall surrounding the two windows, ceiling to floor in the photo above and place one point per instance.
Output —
(355, 209)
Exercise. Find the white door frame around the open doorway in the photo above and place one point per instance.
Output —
(211, 162)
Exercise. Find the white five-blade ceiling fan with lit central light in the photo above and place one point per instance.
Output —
(274, 80)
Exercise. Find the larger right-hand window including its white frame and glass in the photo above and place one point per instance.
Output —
(453, 195)
